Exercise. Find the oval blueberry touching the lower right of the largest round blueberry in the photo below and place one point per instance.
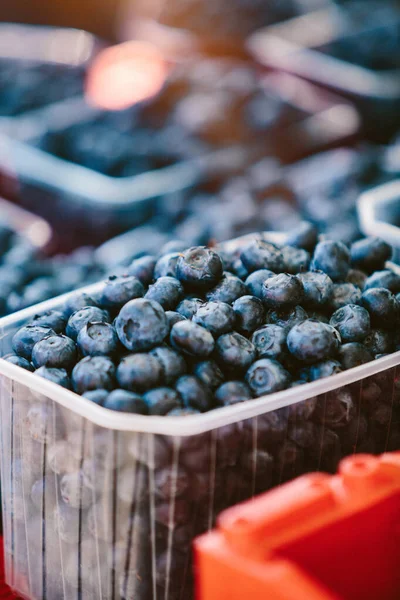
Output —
(191, 339)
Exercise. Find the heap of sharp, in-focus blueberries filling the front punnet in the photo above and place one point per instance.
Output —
(180, 332)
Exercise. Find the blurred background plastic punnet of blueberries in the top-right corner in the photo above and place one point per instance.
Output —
(307, 46)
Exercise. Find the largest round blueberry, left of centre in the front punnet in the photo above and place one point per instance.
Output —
(141, 325)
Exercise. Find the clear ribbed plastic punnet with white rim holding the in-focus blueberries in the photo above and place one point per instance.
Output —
(100, 504)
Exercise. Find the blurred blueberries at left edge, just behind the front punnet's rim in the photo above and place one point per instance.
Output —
(28, 278)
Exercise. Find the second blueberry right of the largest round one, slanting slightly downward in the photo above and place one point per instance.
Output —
(234, 352)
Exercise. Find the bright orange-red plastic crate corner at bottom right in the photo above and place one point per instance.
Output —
(319, 537)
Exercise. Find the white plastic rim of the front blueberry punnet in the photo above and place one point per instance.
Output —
(174, 426)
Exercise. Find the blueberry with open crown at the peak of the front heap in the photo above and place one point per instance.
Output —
(199, 267)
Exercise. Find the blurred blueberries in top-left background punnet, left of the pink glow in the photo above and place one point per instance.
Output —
(27, 86)
